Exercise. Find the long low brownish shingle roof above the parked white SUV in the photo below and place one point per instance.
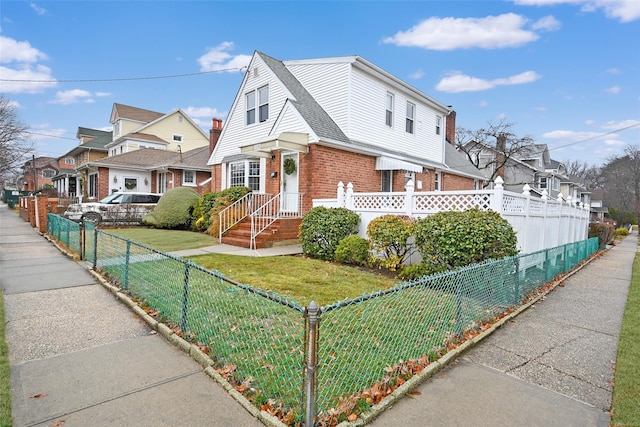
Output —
(150, 159)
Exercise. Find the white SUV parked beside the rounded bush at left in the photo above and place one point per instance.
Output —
(117, 207)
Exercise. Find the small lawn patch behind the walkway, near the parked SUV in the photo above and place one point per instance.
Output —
(165, 240)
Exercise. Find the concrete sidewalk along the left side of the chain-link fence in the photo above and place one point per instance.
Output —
(79, 356)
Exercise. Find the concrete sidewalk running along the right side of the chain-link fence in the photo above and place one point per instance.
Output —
(552, 365)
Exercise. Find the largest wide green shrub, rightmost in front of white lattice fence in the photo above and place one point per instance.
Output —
(450, 239)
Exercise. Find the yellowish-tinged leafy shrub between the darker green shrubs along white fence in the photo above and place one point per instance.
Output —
(389, 235)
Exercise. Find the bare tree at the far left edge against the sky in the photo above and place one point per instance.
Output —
(14, 145)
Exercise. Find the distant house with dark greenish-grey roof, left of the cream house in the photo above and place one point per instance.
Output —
(91, 147)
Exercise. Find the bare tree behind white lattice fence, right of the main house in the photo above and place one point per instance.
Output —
(500, 138)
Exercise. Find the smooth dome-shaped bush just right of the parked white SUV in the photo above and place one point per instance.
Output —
(174, 209)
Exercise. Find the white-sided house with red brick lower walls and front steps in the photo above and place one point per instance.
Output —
(334, 119)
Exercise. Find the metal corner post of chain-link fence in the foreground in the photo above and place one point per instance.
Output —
(312, 313)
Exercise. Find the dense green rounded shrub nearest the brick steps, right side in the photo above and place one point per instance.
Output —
(323, 228)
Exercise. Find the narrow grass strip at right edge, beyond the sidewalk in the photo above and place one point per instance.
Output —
(626, 390)
